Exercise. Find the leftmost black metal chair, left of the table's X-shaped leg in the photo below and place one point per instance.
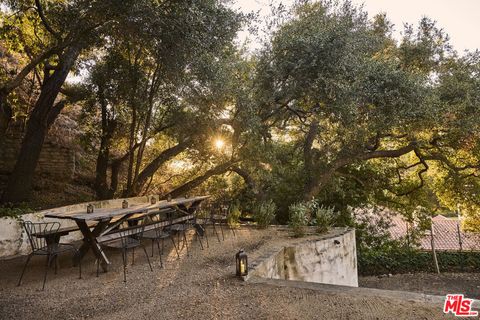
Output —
(44, 241)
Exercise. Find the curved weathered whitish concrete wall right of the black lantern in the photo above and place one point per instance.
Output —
(332, 260)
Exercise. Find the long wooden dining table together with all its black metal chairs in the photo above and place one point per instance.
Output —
(126, 229)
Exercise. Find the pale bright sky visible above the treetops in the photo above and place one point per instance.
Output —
(459, 18)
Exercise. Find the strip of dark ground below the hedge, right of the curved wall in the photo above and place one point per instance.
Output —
(431, 283)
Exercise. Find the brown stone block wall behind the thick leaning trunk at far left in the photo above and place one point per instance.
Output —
(56, 162)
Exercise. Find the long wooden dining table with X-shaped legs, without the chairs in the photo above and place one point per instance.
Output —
(108, 221)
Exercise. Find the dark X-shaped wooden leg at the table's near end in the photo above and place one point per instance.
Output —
(90, 242)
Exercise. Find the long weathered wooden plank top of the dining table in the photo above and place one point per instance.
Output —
(107, 213)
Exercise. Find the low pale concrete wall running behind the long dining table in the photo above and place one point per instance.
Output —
(13, 240)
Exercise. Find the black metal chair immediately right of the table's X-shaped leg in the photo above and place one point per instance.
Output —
(129, 239)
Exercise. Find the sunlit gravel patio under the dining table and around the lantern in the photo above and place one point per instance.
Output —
(199, 286)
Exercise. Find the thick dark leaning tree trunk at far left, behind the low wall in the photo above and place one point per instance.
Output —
(43, 115)
